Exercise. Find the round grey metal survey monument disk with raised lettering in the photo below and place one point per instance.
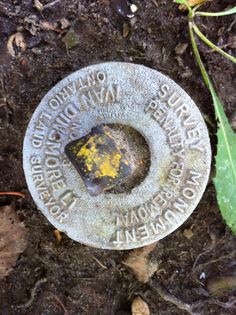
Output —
(161, 112)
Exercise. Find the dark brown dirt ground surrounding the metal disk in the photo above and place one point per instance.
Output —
(67, 277)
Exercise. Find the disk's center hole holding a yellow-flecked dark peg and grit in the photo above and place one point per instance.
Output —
(112, 158)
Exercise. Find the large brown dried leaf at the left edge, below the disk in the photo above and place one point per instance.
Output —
(12, 239)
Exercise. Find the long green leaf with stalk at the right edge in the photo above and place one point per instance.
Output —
(225, 179)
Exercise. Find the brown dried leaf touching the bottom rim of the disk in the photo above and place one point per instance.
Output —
(139, 262)
